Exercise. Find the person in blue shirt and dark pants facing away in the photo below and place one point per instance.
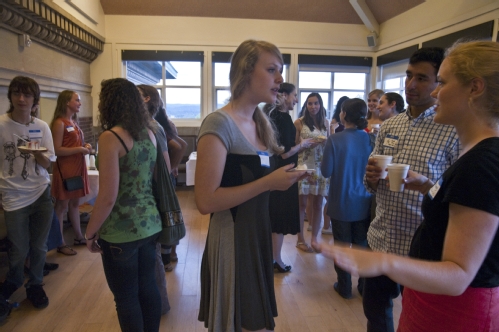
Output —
(344, 160)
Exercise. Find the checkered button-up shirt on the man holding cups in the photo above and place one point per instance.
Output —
(429, 148)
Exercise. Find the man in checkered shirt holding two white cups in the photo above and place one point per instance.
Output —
(429, 148)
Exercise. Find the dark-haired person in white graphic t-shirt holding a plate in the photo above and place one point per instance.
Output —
(25, 189)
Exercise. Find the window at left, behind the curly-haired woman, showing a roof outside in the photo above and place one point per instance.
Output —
(176, 75)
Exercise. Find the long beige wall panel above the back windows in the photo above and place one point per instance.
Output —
(231, 32)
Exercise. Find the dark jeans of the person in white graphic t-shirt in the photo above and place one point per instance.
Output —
(27, 230)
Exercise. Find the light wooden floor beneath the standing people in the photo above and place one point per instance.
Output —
(80, 299)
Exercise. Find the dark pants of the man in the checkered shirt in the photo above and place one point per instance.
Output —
(378, 296)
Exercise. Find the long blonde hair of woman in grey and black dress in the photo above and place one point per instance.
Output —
(242, 65)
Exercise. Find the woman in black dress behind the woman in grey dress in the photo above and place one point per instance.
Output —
(284, 205)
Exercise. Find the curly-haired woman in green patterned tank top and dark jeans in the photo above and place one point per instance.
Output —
(125, 221)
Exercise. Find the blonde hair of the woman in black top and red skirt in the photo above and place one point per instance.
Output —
(478, 59)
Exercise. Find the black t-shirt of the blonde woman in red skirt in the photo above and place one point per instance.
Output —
(472, 181)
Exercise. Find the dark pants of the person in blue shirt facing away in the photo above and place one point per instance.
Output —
(354, 232)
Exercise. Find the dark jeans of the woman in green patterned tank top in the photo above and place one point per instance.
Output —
(130, 272)
